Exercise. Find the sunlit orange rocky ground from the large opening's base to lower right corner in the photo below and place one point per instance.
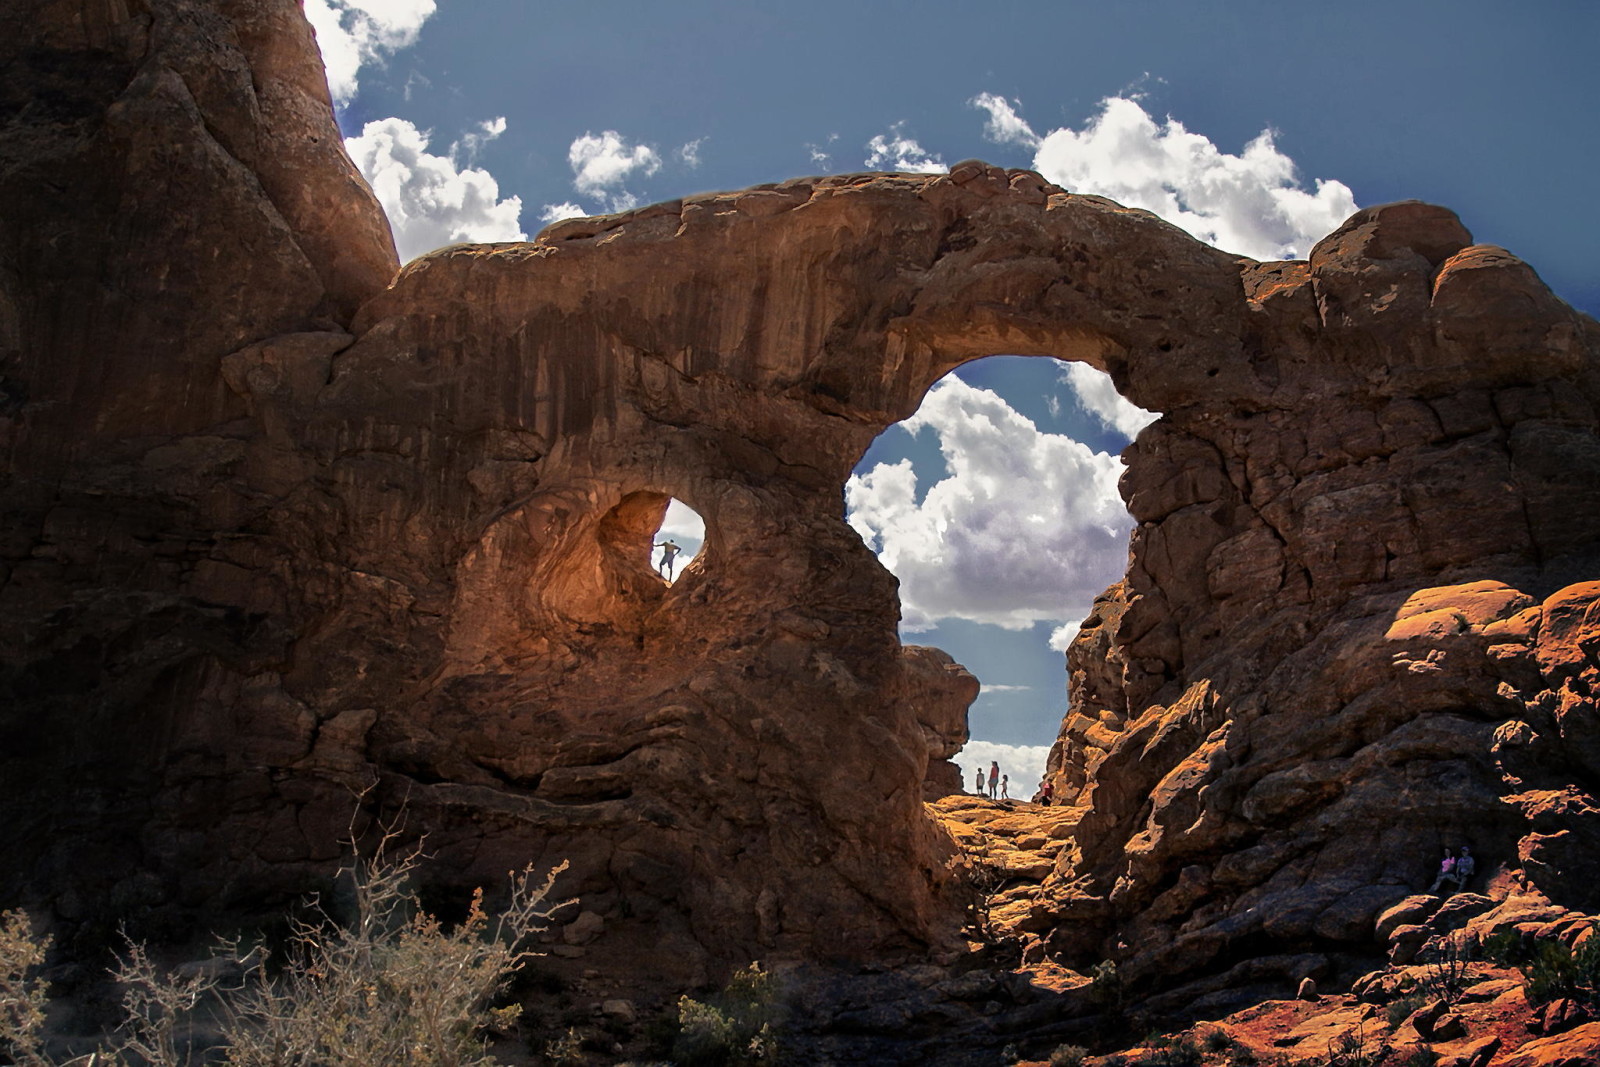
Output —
(1436, 1002)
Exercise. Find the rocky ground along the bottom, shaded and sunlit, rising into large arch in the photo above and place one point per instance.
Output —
(1444, 988)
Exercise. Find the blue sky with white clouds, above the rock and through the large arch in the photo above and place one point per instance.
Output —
(1255, 126)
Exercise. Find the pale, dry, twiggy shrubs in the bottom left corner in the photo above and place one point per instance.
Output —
(393, 986)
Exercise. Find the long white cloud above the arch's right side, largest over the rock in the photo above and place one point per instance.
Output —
(1252, 204)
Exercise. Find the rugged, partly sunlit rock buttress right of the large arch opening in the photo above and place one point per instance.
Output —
(1350, 633)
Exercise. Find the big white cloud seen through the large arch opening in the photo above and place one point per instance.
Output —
(1026, 527)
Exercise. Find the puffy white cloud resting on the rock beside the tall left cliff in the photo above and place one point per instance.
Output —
(428, 199)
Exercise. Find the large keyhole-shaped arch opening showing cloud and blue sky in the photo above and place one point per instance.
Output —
(996, 506)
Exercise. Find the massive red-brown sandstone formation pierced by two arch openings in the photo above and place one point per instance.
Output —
(281, 533)
